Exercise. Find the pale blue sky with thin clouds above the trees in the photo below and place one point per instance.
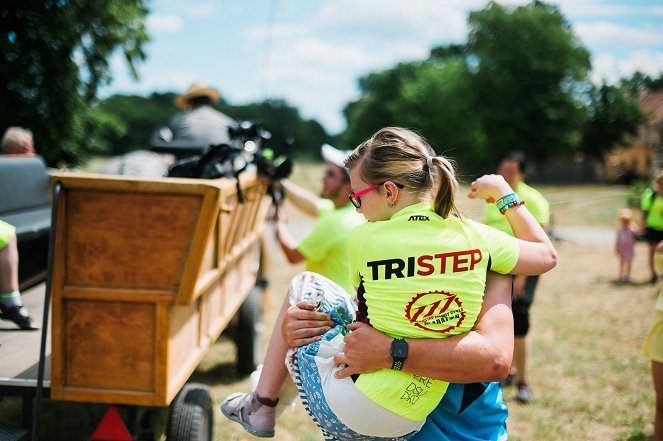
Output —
(312, 52)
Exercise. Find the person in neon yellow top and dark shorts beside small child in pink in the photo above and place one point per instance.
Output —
(651, 226)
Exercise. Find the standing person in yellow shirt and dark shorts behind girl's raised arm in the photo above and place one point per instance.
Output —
(512, 167)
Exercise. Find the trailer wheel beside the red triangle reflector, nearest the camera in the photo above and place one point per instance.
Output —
(191, 416)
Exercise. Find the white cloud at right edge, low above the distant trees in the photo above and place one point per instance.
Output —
(608, 68)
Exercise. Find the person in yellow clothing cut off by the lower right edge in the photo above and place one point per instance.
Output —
(654, 346)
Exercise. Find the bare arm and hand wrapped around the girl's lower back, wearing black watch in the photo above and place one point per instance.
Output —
(483, 354)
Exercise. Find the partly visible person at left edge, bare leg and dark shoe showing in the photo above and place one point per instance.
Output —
(11, 307)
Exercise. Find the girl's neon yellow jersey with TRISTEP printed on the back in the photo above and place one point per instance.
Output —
(422, 276)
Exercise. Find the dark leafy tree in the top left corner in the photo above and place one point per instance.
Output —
(54, 57)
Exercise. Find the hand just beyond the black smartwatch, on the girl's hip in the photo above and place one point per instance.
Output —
(366, 350)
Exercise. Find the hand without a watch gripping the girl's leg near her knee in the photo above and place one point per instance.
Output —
(302, 325)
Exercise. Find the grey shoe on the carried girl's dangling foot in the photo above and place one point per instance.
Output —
(256, 418)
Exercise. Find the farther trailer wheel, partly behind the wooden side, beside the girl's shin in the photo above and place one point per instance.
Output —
(249, 332)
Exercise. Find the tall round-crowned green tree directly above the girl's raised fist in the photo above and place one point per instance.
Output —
(527, 68)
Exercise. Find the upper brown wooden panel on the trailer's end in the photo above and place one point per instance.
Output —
(128, 240)
